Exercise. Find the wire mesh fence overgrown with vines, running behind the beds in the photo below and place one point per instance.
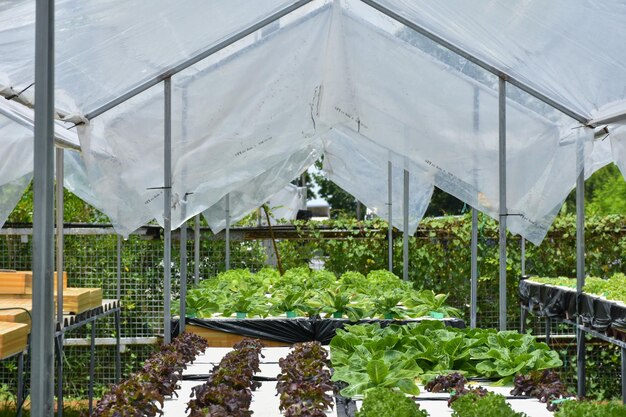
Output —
(91, 261)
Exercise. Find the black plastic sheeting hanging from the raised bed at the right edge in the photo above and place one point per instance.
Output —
(557, 302)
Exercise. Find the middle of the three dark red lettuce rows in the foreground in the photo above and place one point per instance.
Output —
(228, 389)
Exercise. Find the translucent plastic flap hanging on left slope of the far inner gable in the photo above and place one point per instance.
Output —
(272, 185)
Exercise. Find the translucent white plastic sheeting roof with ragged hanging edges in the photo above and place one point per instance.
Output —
(331, 65)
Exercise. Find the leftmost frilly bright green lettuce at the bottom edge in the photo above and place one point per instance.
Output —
(386, 402)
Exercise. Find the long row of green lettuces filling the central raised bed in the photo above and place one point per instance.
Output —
(303, 292)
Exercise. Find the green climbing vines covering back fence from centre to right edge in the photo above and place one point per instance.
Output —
(439, 254)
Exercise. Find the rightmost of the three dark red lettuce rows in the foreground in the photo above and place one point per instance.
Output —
(304, 382)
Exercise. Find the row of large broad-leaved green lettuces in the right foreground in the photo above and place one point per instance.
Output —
(368, 356)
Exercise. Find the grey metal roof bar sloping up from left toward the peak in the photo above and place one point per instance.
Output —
(194, 60)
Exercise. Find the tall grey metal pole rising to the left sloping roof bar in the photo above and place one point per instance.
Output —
(167, 212)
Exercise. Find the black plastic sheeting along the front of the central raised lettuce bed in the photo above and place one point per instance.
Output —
(294, 330)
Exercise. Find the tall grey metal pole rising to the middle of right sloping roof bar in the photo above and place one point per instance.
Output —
(503, 209)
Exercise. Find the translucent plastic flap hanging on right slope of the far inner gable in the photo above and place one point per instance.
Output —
(360, 167)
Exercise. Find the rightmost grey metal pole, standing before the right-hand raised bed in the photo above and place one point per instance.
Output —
(580, 267)
